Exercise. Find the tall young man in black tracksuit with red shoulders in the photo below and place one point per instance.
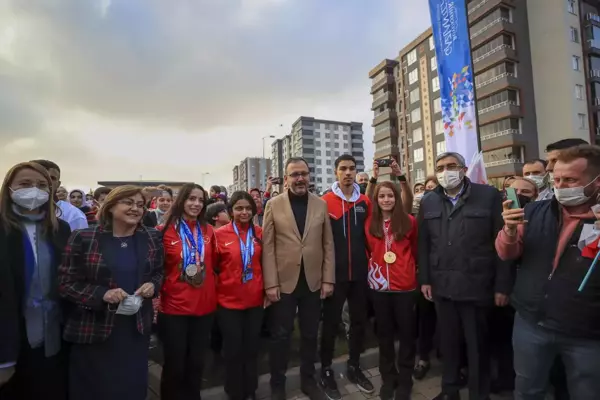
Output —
(348, 212)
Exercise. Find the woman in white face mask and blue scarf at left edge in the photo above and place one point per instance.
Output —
(32, 359)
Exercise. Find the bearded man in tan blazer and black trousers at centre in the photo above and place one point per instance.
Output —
(298, 272)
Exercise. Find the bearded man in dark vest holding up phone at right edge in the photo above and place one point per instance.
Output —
(553, 317)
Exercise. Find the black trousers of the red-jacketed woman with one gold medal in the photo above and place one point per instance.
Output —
(395, 316)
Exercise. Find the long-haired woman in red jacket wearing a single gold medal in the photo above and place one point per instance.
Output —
(392, 245)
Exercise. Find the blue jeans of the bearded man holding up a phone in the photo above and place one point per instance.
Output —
(535, 349)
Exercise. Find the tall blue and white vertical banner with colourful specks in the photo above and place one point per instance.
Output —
(455, 69)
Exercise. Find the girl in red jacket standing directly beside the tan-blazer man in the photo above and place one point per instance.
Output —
(241, 296)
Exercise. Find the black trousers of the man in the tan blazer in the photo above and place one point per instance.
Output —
(281, 322)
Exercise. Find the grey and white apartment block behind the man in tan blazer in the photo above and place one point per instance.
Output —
(320, 142)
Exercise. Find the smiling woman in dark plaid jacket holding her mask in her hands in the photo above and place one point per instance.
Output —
(110, 272)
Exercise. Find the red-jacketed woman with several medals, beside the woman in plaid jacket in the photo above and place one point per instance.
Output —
(188, 296)
